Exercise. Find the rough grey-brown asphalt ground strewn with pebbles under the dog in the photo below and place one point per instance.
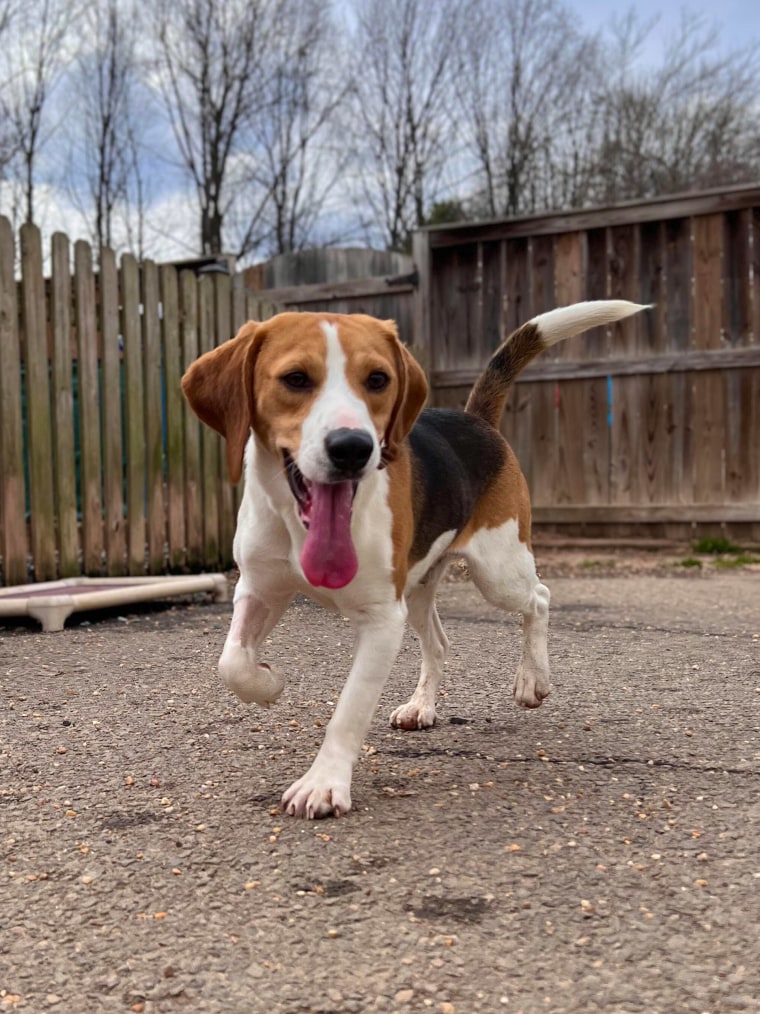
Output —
(599, 854)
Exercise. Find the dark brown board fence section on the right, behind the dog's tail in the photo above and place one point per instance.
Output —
(656, 420)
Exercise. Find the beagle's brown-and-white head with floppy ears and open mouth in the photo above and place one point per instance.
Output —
(332, 396)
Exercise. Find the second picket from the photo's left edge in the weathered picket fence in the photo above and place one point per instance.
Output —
(40, 442)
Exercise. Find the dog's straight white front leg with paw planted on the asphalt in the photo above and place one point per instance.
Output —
(326, 788)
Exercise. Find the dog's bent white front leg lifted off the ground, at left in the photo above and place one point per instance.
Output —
(253, 619)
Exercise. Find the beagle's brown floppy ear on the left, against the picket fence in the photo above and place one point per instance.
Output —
(219, 388)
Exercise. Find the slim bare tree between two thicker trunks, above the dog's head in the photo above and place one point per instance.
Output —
(293, 164)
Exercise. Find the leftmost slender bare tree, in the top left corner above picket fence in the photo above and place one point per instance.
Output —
(36, 59)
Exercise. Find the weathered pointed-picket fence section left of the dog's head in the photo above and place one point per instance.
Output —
(104, 469)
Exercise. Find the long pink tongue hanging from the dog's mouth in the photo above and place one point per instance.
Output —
(329, 558)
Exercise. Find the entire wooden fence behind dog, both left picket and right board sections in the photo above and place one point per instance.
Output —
(656, 422)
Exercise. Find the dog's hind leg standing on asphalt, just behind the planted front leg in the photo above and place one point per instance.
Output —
(420, 711)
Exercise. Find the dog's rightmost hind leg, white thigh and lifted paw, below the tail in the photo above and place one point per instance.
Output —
(504, 570)
